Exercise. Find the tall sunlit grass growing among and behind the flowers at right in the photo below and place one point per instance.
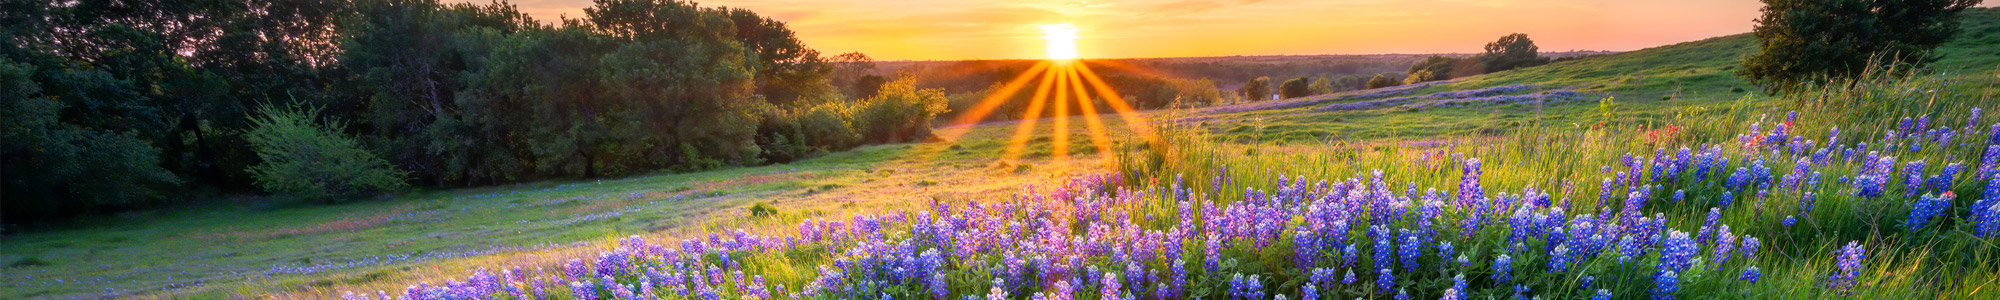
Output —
(1571, 161)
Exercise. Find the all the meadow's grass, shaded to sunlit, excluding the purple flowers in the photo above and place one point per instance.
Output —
(1657, 99)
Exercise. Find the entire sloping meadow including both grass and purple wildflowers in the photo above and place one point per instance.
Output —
(1469, 189)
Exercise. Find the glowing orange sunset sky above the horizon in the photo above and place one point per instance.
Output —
(1155, 29)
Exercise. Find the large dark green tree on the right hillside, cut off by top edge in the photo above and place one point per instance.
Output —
(1805, 41)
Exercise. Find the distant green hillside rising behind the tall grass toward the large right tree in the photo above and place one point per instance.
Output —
(1643, 87)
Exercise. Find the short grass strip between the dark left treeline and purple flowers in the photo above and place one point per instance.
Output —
(227, 247)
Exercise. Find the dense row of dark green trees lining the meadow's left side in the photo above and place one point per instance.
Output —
(115, 105)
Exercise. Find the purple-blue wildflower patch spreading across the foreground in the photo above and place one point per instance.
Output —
(1659, 225)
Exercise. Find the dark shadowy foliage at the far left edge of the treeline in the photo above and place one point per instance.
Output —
(57, 165)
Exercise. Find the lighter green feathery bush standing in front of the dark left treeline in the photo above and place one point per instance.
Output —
(313, 161)
